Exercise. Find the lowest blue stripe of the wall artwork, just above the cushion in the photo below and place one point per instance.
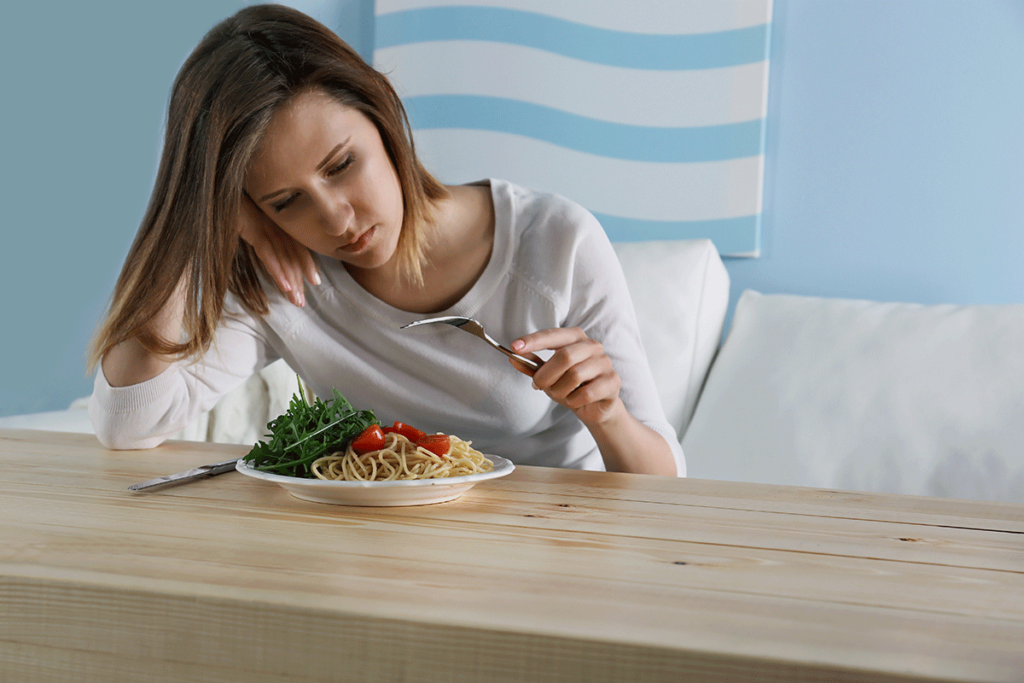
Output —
(732, 236)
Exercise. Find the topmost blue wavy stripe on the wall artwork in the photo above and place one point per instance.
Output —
(615, 49)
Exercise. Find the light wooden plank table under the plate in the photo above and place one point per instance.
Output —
(543, 576)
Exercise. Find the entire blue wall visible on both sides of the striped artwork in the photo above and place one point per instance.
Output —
(895, 165)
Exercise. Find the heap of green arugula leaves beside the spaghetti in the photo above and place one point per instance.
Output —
(308, 432)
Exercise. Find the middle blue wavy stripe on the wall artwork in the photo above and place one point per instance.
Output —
(616, 141)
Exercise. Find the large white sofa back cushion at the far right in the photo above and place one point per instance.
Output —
(862, 396)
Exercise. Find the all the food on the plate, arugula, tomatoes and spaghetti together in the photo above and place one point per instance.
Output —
(330, 440)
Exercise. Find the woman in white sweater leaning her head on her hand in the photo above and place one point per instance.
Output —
(288, 158)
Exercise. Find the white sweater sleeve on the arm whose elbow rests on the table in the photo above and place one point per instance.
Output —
(143, 416)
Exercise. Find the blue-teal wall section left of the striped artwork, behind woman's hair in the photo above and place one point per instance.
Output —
(84, 96)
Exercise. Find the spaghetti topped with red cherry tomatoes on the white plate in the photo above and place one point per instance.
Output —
(402, 453)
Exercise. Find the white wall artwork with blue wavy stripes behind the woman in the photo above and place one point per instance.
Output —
(650, 113)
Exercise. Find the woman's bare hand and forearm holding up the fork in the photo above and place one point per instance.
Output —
(581, 377)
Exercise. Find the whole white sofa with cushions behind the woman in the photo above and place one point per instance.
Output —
(812, 392)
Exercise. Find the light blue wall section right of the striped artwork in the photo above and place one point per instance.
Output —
(895, 157)
